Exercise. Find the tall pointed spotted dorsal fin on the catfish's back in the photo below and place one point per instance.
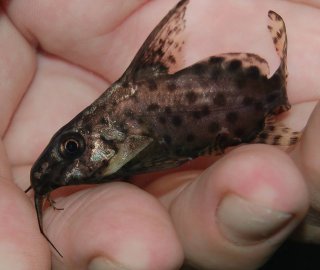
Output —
(158, 54)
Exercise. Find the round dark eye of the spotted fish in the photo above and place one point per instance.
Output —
(72, 145)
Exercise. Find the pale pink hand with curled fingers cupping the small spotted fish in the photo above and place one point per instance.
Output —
(58, 56)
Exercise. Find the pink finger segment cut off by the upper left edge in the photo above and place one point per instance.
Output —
(17, 66)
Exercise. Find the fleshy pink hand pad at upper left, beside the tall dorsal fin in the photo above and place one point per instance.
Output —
(82, 37)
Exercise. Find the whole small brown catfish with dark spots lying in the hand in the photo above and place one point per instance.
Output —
(155, 117)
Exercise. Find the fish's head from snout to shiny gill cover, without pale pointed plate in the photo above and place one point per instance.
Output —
(71, 157)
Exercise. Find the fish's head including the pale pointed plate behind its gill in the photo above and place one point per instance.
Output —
(77, 155)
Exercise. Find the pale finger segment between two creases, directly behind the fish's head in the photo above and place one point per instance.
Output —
(57, 93)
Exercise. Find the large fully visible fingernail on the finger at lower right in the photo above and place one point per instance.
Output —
(244, 222)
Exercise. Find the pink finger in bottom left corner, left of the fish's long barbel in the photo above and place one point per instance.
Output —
(21, 246)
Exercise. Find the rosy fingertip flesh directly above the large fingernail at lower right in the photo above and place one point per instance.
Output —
(265, 175)
